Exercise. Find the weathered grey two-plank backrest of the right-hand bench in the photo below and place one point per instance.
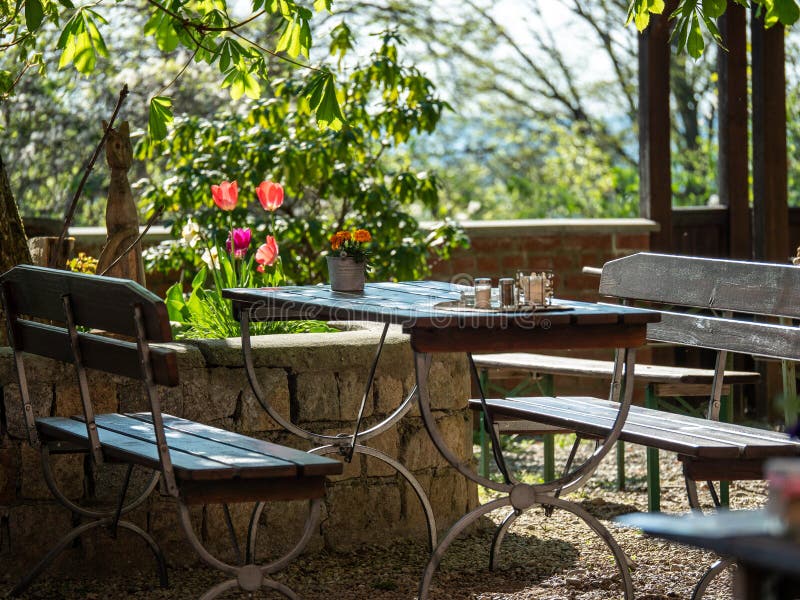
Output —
(722, 304)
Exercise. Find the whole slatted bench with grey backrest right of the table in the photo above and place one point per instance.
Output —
(722, 305)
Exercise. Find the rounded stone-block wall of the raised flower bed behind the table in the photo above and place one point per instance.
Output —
(317, 379)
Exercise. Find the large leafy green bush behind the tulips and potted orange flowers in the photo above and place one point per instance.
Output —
(333, 180)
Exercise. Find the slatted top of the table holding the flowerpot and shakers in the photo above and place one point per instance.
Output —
(413, 304)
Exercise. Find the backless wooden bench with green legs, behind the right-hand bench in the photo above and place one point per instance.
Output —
(660, 381)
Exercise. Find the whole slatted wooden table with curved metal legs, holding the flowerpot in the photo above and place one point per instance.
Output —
(421, 309)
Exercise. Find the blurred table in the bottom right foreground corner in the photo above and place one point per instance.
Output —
(768, 559)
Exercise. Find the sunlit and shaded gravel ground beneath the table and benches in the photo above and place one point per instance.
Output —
(547, 558)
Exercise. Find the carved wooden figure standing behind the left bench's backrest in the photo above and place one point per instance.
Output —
(122, 219)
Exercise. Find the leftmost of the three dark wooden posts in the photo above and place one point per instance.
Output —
(655, 179)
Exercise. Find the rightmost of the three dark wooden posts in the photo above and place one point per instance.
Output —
(770, 195)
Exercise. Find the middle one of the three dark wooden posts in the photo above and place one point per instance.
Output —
(733, 168)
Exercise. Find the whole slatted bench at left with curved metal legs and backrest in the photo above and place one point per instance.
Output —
(110, 325)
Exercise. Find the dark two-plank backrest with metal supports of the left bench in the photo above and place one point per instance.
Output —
(93, 322)
